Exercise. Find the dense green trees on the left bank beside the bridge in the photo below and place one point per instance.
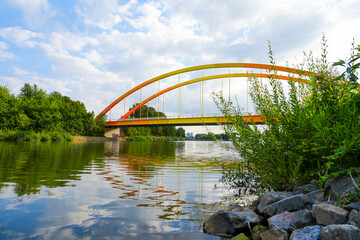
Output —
(35, 112)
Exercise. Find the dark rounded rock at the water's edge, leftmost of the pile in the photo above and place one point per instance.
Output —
(219, 224)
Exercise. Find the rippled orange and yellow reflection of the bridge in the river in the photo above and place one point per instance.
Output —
(157, 174)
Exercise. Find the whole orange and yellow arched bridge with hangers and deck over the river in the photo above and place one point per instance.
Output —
(248, 70)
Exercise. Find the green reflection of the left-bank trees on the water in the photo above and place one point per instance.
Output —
(30, 165)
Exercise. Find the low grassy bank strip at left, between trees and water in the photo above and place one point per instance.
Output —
(18, 135)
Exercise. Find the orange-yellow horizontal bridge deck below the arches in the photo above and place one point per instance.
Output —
(193, 121)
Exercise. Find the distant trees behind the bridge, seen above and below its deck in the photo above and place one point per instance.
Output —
(150, 112)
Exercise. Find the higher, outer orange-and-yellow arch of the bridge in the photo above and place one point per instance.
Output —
(203, 67)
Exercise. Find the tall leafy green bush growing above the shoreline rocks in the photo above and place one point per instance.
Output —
(305, 125)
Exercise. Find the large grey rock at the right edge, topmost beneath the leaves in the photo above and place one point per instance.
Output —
(341, 187)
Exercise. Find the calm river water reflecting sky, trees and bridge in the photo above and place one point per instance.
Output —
(108, 190)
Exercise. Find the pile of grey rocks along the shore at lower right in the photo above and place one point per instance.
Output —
(306, 213)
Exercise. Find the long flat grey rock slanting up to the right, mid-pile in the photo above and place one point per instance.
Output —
(292, 203)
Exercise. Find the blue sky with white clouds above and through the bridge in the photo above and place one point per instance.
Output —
(96, 50)
